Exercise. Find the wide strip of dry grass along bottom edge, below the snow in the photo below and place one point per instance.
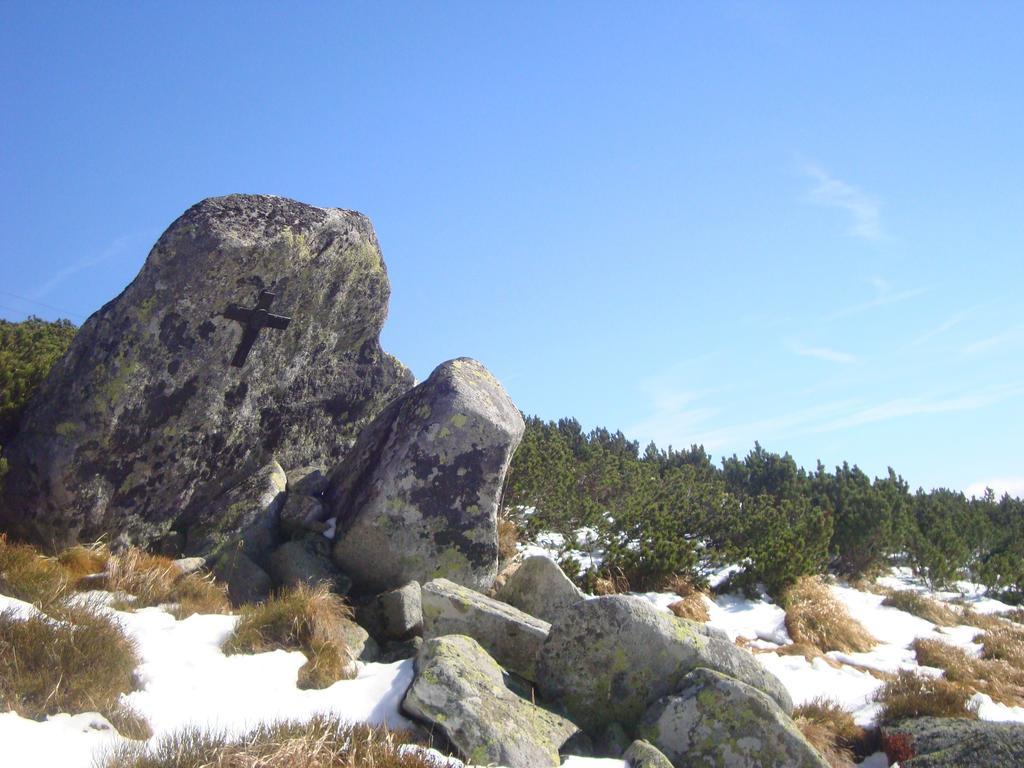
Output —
(321, 743)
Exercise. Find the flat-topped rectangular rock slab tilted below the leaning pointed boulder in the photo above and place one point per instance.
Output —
(514, 638)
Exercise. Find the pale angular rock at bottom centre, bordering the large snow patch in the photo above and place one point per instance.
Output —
(460, 690)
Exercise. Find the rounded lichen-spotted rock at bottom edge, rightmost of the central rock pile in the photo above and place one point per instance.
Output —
(716, 720)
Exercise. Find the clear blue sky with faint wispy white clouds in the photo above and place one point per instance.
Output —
(798, 224)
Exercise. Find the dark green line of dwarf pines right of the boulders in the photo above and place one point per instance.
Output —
(660, 514)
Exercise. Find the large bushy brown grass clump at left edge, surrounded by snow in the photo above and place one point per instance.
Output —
(80, 661)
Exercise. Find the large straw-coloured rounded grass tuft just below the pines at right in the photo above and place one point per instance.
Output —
(815, 617)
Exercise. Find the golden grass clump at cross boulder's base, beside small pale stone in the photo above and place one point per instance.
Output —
(154, 580)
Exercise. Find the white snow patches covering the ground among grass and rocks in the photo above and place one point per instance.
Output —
(187, 680)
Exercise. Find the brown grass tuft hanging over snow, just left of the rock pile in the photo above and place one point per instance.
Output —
(306, 619)
